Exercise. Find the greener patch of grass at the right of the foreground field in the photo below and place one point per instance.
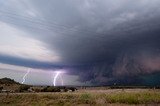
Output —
(134, 98)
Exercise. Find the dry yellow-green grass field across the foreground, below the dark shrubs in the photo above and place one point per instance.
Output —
(84, 98)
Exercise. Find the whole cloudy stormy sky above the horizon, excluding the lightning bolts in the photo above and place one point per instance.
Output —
(91, 42)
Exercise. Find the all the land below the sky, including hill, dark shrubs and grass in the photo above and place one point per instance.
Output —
(15, 94)
